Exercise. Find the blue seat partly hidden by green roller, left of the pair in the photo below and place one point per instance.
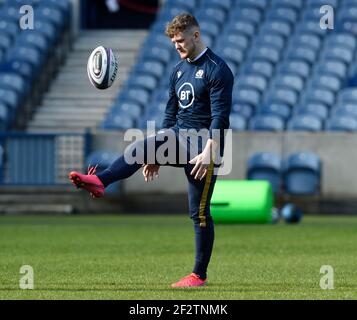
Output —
(265, 166)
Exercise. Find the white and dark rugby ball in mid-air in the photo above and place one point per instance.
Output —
(102, 67)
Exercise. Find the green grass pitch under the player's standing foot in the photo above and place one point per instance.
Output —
(139, 256)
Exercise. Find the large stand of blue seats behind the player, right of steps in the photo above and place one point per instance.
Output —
(284, 64)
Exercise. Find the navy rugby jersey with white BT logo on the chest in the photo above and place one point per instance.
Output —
(200, 94)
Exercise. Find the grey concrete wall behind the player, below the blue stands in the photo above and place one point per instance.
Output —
(338, 152)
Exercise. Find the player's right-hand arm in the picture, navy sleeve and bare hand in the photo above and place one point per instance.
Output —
(221, 85)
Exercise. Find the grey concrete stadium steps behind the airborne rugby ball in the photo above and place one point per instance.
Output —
(72, 104)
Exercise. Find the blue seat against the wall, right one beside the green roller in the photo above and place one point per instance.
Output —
(302, 174)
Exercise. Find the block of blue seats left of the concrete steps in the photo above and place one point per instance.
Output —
(29, 58)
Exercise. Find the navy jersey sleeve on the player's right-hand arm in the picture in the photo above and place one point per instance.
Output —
(221, 85)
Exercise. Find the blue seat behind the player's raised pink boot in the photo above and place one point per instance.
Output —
(104, 158)
